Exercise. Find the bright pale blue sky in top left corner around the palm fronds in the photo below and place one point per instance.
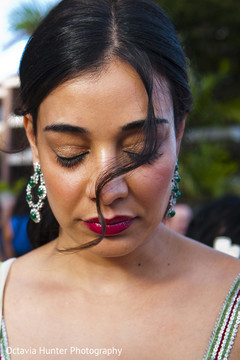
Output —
(10, 56)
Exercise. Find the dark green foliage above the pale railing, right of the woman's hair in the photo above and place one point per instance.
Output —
(209, 31)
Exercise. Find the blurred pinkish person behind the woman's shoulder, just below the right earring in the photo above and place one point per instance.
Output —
(181, 220)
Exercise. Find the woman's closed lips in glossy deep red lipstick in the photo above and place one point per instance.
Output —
(114, 226)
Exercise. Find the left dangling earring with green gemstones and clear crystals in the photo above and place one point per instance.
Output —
(36, 179)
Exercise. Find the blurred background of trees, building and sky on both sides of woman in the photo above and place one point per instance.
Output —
(209, 30)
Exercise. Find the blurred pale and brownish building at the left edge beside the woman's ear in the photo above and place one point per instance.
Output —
(14, 164)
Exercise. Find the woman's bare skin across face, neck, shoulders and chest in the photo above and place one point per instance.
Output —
(130, 287)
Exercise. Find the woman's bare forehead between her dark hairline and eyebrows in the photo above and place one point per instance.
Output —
(116, 94)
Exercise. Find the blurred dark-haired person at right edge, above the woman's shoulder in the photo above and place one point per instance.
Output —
(217, 224)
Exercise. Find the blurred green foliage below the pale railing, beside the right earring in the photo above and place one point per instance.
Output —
(207, 171)
